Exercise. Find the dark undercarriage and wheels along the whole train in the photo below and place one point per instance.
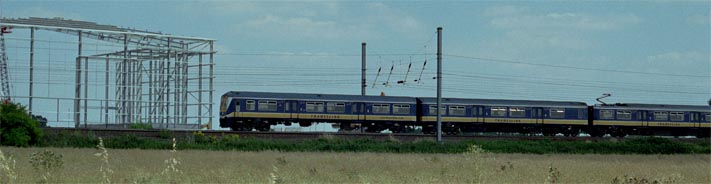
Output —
(449, 128)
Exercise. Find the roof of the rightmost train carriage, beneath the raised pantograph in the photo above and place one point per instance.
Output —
(634, 106)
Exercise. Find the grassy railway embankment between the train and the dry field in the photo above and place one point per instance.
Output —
(353, 142)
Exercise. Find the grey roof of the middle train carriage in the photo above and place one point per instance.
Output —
(499, 102)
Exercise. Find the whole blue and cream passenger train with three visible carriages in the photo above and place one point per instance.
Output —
(249, 111)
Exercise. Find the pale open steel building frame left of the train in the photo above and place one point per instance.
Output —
(156, 78)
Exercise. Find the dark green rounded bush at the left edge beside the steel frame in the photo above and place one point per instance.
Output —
(17, 127)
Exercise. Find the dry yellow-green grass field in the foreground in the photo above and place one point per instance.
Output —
(145, 166)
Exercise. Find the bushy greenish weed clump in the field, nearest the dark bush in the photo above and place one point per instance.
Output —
(45, 162)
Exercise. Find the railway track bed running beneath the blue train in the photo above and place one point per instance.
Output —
(302, 136)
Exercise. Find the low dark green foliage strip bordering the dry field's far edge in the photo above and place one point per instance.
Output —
(233, 142)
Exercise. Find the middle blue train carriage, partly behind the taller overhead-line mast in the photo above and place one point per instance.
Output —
(491, 115)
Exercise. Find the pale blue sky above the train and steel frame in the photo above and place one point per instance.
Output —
(638, 51)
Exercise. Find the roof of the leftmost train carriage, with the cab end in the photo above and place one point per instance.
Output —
(321, 97)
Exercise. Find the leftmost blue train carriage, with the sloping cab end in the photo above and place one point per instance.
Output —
(246, 110)
